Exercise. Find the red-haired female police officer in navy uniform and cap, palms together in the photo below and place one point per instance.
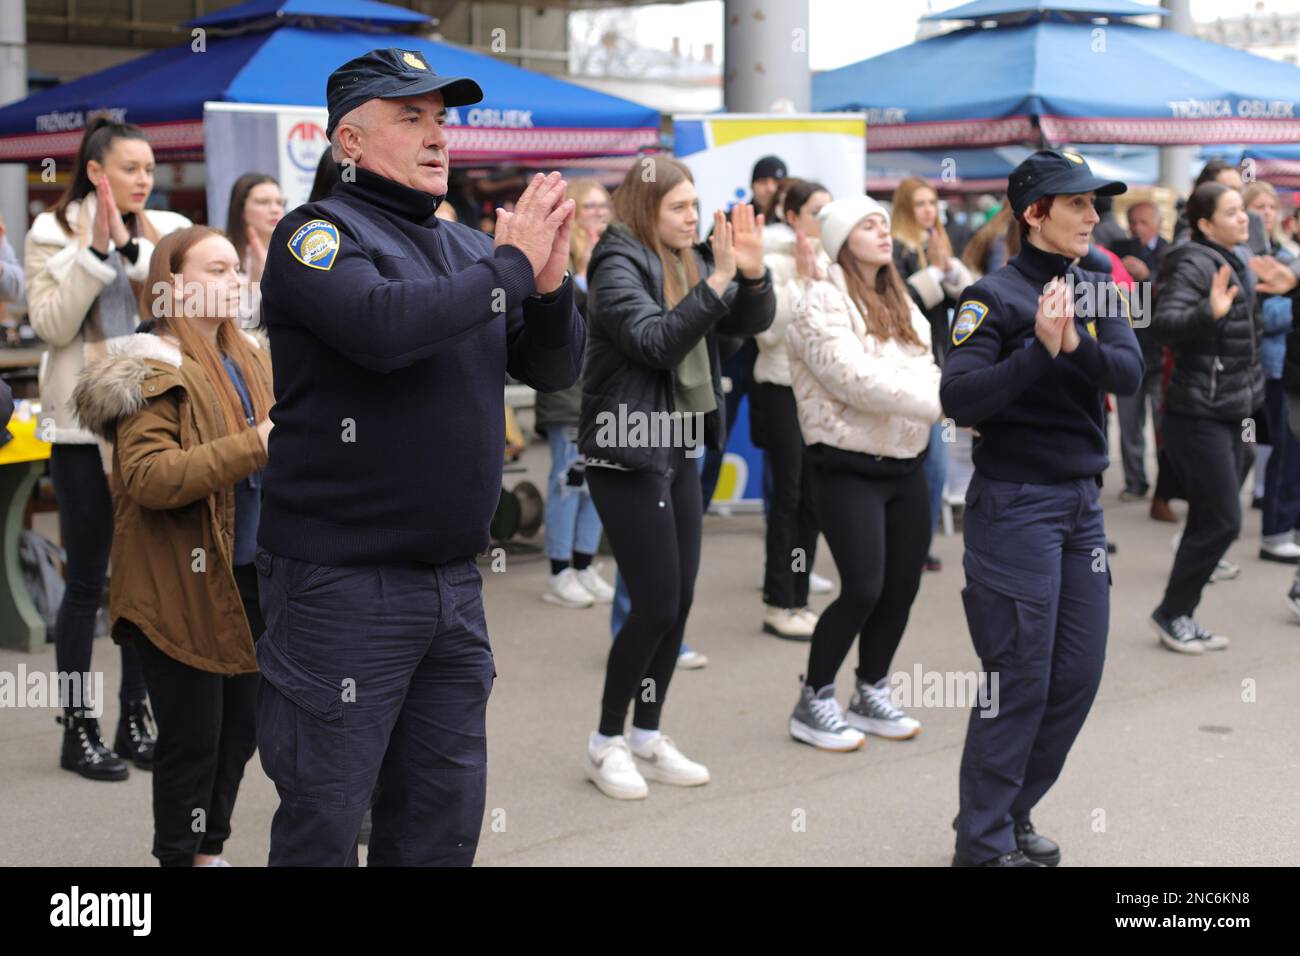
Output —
(1037, 345)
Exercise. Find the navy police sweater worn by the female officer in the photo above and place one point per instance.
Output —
(1039, 419)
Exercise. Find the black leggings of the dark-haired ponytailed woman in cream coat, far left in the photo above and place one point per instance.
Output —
(86, 529)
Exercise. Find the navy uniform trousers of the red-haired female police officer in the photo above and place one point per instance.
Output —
(1038, 603)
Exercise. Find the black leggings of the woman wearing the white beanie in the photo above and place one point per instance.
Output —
(878, 531)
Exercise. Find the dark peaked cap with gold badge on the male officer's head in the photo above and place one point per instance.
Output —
(389, 73)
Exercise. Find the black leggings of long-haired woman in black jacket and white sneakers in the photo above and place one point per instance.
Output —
(655, 531)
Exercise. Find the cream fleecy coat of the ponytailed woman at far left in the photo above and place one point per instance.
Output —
(64, 279)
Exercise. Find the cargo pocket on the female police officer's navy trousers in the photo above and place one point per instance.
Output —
(1007, 608)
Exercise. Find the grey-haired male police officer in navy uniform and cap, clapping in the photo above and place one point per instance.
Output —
(392, 334)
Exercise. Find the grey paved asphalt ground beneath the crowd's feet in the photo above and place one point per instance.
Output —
(1184, 762)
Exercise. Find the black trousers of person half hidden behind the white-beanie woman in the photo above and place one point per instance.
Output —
(791, 520)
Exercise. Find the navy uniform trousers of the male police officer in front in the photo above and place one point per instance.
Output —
(374, 674)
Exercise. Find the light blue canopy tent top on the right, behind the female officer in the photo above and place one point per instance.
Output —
(1048, 73)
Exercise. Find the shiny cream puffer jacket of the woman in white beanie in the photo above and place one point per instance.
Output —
(855, 391)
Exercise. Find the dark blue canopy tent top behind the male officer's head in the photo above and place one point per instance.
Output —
(283, 51)
